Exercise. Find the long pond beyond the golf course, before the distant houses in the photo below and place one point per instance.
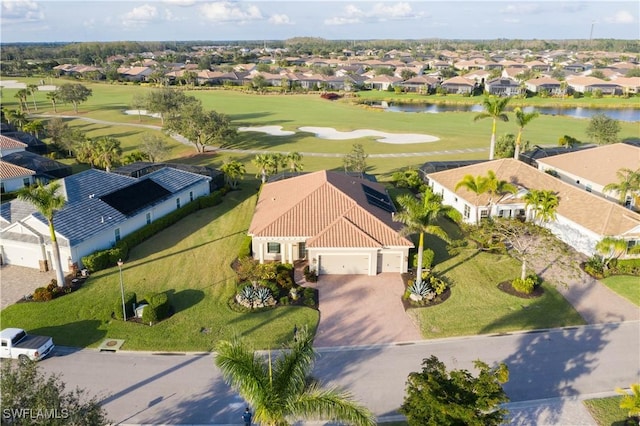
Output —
(625, 114)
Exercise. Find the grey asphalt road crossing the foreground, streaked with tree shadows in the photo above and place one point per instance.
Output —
(146, 388)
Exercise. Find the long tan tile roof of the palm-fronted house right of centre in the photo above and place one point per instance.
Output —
(588, 210)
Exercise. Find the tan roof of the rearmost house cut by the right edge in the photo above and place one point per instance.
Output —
(609, 158)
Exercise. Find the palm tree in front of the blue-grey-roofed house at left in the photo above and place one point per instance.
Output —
(47, 200)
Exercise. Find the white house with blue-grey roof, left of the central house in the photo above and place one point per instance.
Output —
(101, 208)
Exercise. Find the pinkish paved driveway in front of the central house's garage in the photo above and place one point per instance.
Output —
(362, 310)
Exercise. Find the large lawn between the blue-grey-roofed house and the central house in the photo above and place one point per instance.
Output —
(191, 262)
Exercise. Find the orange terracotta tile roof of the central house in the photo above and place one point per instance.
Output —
(328, 208)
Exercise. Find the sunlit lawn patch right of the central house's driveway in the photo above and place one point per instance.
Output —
(477, 306)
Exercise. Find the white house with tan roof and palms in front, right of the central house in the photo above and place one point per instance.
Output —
(583, 218)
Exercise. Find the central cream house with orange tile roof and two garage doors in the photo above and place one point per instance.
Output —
(341, 224)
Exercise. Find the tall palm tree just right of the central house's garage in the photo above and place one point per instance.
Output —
(421, 217)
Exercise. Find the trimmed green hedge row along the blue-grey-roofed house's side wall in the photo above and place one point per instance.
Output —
(107, 258)
